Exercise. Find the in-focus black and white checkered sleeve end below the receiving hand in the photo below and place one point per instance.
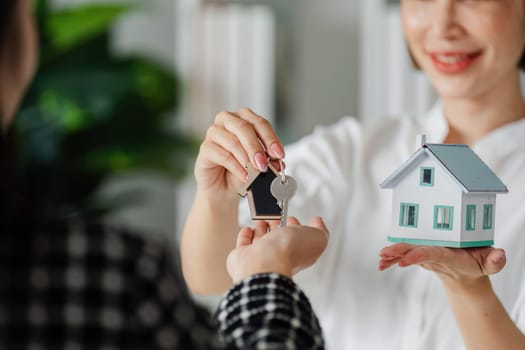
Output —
(268, 311)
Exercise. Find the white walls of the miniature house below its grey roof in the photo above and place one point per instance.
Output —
(468, 221)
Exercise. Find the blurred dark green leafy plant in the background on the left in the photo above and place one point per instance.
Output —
(90, 115)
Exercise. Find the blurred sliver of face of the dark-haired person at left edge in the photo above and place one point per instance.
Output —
(18, 64)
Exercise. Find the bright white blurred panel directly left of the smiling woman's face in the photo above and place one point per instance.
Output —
(388, 83)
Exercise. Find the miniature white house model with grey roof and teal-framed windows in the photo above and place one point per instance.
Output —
(444, 195)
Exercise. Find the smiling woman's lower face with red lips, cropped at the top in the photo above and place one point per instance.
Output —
(466, 47)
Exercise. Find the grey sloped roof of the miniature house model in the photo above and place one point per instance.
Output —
(469, 171)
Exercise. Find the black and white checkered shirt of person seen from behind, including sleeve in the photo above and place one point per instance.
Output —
(78, 285)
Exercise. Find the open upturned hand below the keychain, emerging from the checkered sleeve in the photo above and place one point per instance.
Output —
(285, 250)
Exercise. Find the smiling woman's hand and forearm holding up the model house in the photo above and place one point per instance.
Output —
(481, 317)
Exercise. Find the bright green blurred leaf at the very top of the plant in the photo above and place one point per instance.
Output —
(68, 28)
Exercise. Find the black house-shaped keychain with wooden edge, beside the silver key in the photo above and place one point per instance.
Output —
(263, 205)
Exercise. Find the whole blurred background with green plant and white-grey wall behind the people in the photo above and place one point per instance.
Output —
(127, 89)
